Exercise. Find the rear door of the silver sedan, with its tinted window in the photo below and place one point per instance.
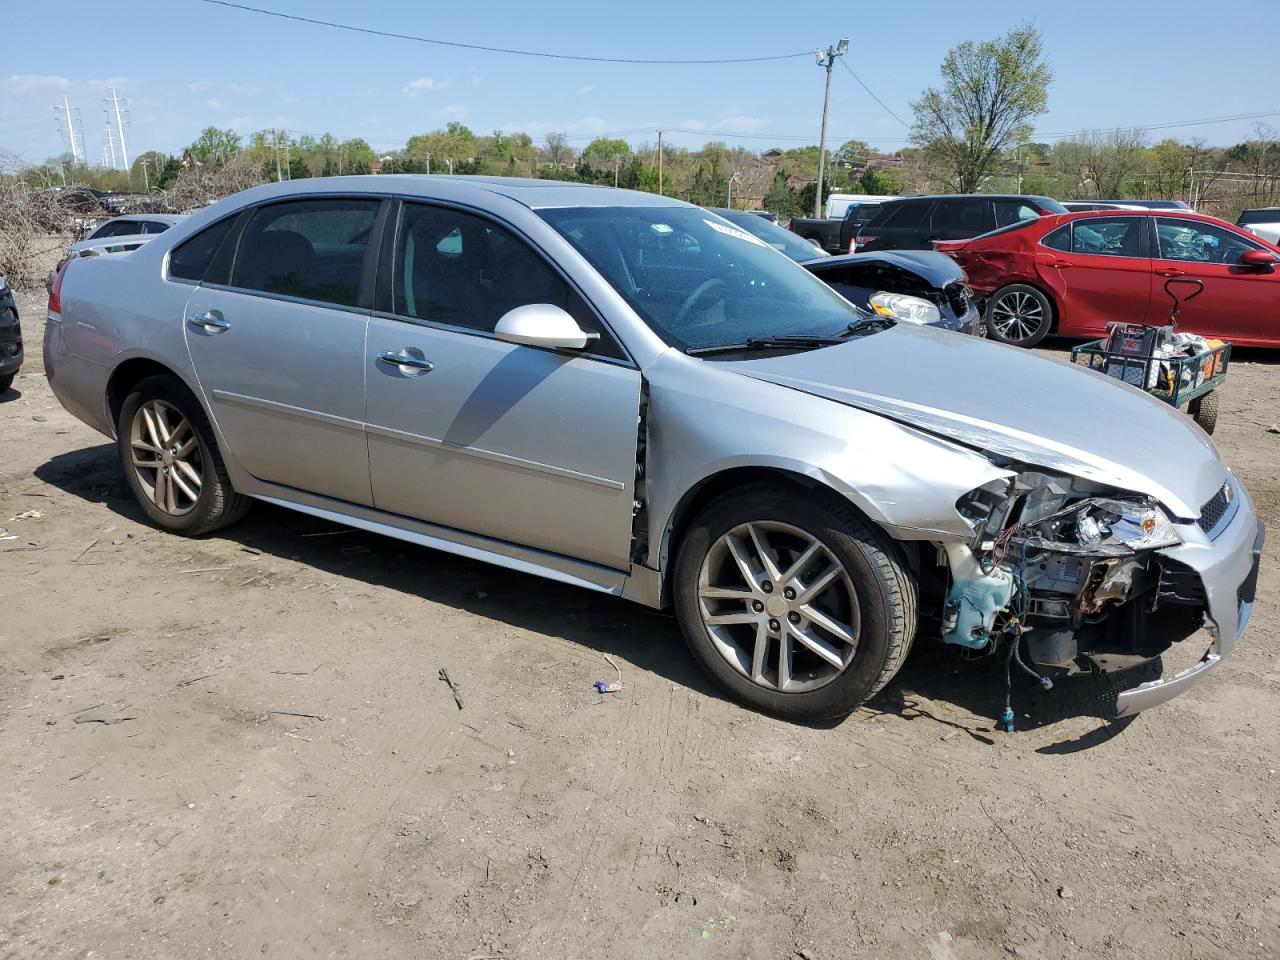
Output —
(280, 345)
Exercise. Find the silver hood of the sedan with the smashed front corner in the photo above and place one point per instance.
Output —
(1009, 401)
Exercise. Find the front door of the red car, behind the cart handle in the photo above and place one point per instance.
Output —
(1238, 303)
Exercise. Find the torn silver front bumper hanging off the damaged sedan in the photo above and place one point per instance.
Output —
(1228, 568)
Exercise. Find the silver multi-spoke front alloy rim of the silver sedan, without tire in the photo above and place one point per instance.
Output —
(779, 606)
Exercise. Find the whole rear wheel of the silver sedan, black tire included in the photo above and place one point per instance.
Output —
(180, 423)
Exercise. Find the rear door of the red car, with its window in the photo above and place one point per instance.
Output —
(1104, 277)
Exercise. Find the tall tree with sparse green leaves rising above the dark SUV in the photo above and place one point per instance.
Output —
(990, 94)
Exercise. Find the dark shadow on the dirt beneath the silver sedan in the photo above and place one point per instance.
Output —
(648, 639)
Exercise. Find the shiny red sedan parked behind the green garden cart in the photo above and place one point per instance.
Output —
(1072, 275)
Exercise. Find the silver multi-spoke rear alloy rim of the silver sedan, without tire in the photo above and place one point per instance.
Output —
(166, 456)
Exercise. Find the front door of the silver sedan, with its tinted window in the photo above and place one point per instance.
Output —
(523, 445)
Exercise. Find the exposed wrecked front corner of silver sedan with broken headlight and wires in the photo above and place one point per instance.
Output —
(1071, 575)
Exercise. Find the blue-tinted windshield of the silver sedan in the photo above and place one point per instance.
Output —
(700, 281)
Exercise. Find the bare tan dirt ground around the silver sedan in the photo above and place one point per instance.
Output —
(241, 747)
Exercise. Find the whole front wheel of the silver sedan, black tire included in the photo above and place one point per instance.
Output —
(879, 606)
